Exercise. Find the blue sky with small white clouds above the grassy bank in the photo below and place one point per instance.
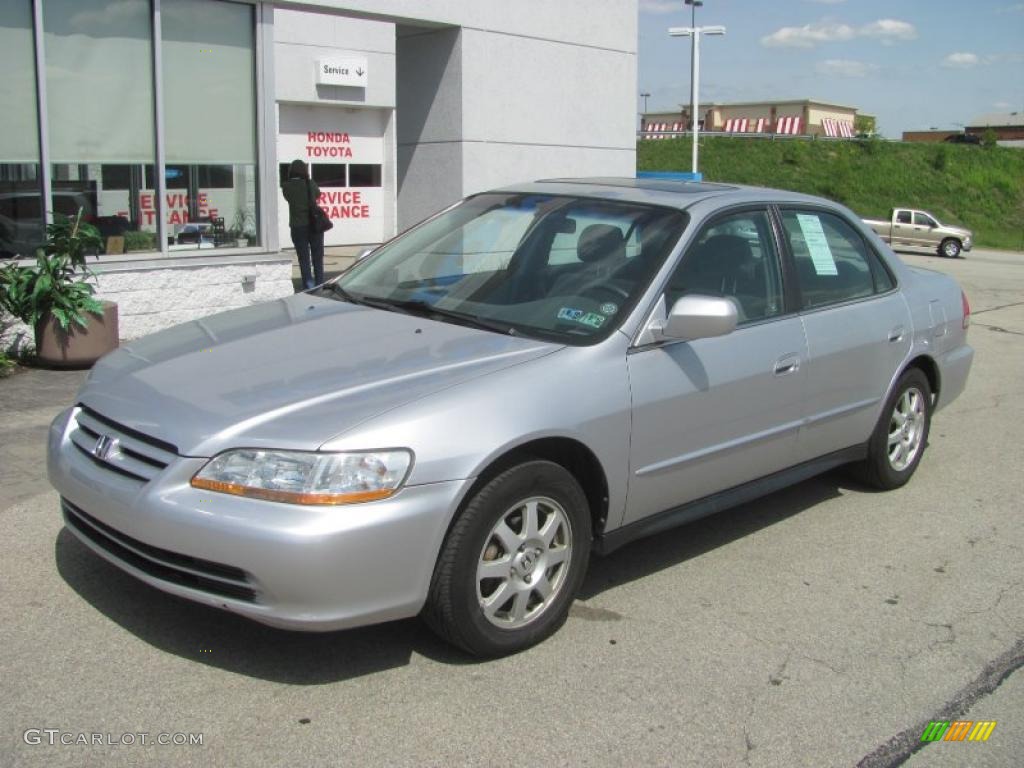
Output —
(916, 65)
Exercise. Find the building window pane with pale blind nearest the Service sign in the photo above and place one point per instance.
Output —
(208, 52)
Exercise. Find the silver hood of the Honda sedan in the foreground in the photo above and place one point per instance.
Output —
(288, 374)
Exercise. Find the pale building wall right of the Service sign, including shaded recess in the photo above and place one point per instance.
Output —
(520, 92)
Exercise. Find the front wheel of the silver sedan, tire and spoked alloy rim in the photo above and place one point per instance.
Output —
(487, 594)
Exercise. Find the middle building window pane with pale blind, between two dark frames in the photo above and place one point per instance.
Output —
(101, 112)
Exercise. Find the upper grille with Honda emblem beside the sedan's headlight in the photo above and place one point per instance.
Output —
(119, 449)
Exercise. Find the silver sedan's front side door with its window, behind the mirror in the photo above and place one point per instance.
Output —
(712, 414)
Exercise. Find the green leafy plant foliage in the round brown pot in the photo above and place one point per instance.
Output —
(58, 286)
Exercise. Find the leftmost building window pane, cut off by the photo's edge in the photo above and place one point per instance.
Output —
(21, 196)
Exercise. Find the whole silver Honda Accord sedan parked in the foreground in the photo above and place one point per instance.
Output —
(454, 425)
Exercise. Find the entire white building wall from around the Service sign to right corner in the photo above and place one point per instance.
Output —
(487, 93)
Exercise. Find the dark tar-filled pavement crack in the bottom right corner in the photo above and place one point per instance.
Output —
(899, 750)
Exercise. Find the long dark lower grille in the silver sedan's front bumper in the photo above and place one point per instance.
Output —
(205, 576)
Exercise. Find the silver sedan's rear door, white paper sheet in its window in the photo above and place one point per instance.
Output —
(858, 327)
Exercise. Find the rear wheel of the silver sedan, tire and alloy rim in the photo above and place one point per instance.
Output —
(901, 438)
